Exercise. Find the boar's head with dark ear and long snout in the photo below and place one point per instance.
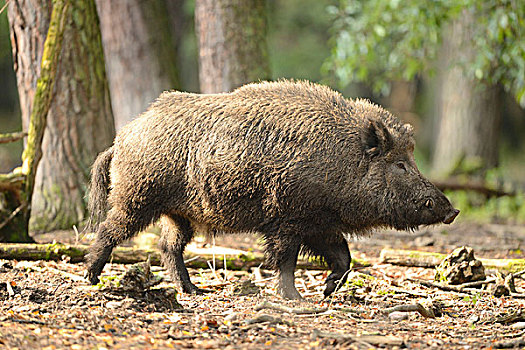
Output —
(403, 198)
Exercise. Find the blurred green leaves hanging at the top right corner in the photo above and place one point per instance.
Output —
(377, 41)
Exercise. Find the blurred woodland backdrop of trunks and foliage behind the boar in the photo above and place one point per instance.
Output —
(453, 69)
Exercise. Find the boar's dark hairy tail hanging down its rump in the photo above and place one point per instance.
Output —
(99, 189)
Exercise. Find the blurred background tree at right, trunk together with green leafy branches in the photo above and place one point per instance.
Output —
(378, 42)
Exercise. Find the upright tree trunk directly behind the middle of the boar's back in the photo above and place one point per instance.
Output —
(232, 43)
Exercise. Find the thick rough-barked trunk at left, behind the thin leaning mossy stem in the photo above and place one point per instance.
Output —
(79, 123)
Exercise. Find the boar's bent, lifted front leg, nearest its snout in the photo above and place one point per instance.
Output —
(336, 253)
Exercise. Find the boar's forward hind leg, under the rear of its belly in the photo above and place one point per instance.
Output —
(176, 233)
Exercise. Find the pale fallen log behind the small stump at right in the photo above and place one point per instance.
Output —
(415, 258)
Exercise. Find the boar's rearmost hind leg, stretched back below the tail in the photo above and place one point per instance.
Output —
(117, 227)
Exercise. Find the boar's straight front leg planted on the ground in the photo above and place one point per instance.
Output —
(282, 252)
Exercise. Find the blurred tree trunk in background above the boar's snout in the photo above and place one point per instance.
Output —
(469, 111)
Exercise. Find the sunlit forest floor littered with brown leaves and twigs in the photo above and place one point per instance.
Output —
(46, 304)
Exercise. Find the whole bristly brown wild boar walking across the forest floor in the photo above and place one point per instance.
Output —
(294, 161)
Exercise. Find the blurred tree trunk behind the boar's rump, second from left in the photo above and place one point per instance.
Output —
(140, 53)
